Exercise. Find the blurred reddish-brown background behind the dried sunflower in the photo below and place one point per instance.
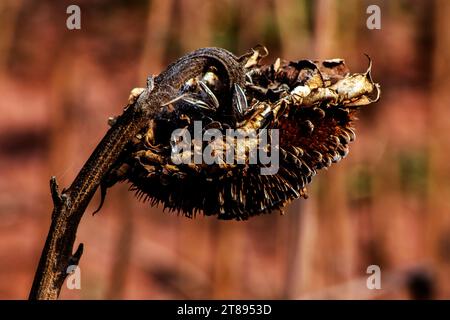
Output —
(386, 204)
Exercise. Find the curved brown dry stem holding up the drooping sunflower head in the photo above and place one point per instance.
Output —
(69, 206)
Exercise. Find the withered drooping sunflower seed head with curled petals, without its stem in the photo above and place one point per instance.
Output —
(312, 103)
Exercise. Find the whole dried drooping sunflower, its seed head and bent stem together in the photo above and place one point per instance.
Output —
(312, 105)
